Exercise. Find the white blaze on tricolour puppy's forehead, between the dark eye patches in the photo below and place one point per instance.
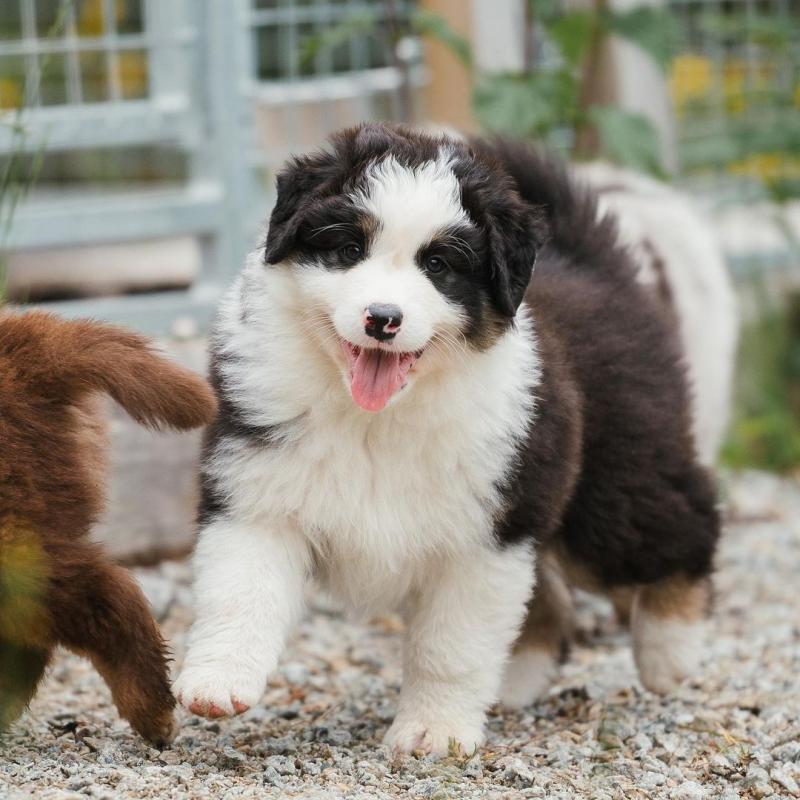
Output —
(412, 204)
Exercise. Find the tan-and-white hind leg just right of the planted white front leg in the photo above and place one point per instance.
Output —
(543, 641)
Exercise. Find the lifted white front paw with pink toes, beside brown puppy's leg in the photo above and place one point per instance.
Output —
(218, 691)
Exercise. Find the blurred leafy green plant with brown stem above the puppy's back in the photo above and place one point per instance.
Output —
(559, 104)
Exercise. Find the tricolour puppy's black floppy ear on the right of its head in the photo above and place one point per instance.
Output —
(516, 232)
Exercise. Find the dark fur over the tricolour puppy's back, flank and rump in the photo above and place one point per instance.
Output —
(608, 473)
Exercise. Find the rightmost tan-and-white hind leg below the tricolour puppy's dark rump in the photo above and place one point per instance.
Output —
(667, 625)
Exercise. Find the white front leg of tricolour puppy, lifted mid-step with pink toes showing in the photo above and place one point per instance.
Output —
(248, 589)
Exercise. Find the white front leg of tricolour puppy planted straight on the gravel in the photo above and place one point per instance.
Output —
(461, 628)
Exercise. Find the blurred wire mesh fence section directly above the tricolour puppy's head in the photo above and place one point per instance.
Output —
(325, 64)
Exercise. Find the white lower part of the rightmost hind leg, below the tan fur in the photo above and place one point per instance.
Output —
(666, 651)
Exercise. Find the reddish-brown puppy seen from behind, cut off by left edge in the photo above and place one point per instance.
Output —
(56, 586)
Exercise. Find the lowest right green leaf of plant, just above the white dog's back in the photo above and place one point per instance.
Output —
(627, 139)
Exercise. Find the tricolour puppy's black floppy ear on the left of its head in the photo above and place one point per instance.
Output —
(300, 183)
